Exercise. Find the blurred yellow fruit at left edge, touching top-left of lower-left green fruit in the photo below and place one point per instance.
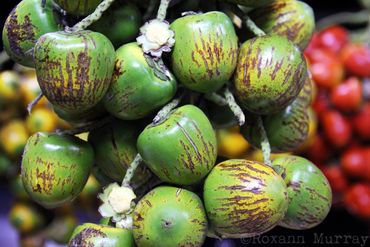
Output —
(13, 138)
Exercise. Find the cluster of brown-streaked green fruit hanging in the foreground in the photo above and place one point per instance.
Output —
(85, 80)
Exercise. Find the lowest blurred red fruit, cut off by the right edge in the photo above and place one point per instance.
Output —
(357, 200)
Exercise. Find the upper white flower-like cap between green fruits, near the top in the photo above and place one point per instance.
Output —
(156, 37)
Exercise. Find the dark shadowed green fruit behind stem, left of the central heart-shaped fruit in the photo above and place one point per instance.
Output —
(115, 149)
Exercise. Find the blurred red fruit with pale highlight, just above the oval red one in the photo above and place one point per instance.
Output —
(347, 96)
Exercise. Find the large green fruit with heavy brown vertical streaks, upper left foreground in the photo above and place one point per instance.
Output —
(74, 70)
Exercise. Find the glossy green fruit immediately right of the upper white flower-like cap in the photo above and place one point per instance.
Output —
(205, 53)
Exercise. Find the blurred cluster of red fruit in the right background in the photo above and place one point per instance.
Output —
(341, 71)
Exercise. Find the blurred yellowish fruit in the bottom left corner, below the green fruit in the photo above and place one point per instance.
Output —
(26, 218)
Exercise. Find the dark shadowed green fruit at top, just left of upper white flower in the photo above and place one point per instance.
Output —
(121, 23)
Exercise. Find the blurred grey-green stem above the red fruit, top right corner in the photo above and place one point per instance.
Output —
(344, 17)
